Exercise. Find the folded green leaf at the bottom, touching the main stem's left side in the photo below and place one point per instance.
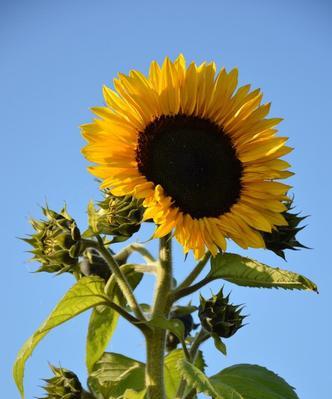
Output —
(114, 373)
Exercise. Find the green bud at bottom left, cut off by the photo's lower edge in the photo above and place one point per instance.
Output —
(64, 385)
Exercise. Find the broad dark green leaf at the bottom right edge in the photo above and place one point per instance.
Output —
(253, 382)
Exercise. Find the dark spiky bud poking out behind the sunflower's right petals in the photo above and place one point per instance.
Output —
(284, 237)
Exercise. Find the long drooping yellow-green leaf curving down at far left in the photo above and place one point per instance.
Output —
(85, 294)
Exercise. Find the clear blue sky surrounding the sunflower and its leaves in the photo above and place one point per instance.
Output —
(55, 57)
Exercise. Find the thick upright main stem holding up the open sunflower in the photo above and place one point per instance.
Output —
(155, 339)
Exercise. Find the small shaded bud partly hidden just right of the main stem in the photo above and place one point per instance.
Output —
(182, 313)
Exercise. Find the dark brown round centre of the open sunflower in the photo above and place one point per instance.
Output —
(194, 161)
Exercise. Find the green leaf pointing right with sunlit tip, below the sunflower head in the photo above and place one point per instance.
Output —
(251, 273)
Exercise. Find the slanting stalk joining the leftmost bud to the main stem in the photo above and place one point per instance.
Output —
(120, 277)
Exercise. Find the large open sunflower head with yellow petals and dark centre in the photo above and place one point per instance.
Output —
(199, 151)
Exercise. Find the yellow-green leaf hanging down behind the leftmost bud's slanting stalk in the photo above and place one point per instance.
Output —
(103, 321)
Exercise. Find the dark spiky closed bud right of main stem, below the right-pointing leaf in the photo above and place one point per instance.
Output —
(219, 317)
